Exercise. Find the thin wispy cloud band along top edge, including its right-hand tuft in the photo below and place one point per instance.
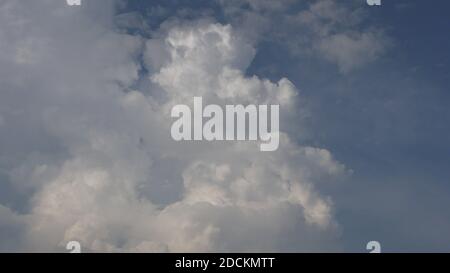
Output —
(330, 30)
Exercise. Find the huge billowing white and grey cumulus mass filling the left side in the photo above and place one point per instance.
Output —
(95, 158)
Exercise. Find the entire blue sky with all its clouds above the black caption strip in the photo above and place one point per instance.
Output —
(85, 146)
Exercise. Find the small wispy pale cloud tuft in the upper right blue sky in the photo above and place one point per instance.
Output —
(338, 36)
